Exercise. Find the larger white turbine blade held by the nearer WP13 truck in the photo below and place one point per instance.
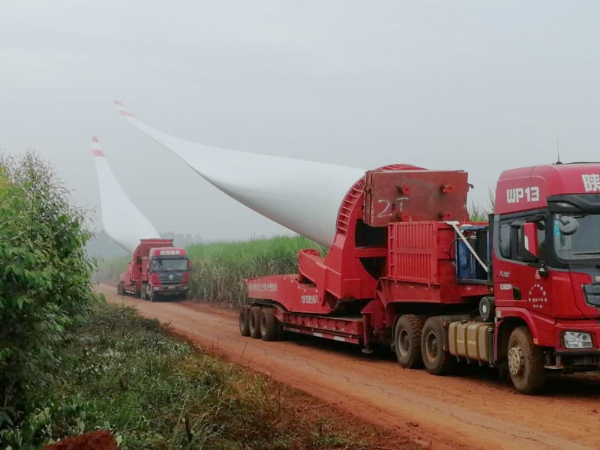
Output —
(303, 196)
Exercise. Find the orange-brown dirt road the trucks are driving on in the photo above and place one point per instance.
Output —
(470, 411)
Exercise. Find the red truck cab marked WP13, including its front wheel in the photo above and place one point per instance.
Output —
(546, 268)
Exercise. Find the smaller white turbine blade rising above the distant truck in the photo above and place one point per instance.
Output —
(123, 222)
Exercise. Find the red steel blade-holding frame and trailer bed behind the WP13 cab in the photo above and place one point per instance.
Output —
(307, 302)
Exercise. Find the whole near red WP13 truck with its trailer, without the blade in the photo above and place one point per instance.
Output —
(409, 271)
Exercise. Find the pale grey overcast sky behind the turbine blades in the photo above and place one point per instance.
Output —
(478, 86)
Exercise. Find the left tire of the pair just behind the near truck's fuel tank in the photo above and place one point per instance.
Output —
(407, 341)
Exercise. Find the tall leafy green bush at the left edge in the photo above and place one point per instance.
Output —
(44, 278)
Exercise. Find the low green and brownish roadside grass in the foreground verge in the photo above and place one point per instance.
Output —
(127, 374)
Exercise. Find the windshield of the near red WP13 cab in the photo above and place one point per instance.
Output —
(576, 236)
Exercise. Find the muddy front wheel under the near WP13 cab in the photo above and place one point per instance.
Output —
(525, 362)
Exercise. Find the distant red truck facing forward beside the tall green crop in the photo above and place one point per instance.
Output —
(157, 269)
